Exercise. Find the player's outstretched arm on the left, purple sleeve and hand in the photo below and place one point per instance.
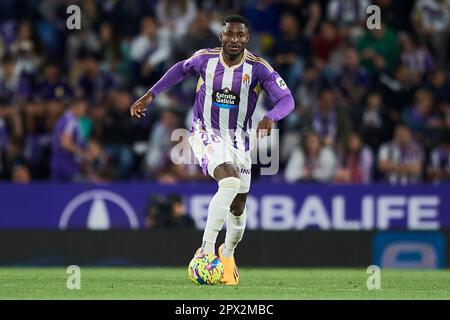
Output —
(173, 76)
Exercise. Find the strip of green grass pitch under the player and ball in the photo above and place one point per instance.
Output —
(173, 284)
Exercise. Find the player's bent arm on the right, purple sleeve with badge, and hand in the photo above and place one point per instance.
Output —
(279, 94)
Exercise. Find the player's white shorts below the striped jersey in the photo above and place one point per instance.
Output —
(211, 150)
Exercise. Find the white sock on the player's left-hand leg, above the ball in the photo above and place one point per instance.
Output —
(217, 211)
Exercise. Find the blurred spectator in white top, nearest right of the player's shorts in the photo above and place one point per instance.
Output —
(311, 162)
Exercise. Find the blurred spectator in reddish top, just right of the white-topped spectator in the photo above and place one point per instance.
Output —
(355, 162)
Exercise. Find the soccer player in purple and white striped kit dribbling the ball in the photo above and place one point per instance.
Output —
(230, 81)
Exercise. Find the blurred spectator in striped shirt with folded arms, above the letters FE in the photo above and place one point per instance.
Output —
(401, 159)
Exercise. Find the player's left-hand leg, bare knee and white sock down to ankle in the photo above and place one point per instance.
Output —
(229, 183)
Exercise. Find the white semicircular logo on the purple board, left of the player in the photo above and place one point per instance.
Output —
(98, 210)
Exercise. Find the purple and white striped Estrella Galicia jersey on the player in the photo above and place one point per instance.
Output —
(226, 96)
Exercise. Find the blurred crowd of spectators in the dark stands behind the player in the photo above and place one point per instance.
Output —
(371, 105)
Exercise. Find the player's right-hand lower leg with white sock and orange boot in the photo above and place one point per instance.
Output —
(236, 221)
